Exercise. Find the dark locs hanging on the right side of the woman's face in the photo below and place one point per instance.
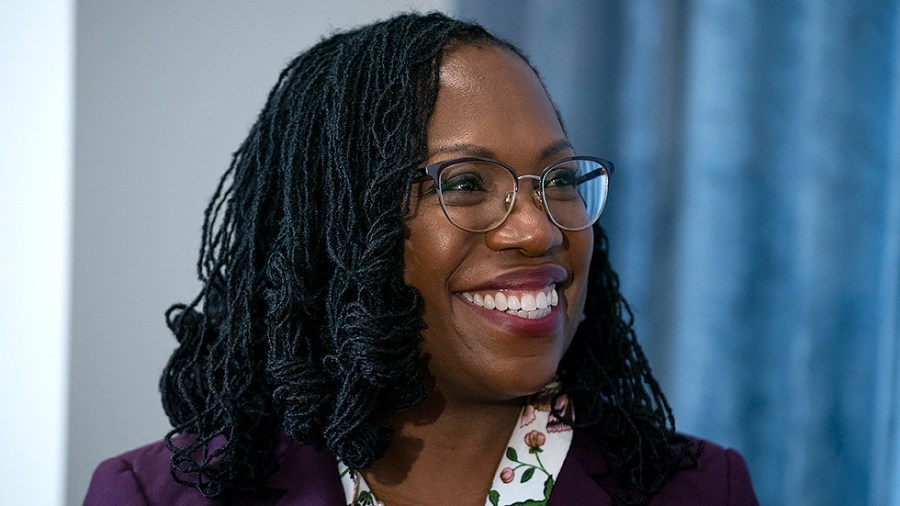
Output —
(607, 375)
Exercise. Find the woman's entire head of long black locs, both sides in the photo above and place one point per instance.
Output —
(304, 322)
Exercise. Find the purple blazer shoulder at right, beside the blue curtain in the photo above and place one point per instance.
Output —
(721, 477)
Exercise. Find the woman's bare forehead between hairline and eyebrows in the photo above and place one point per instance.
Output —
(490, 98)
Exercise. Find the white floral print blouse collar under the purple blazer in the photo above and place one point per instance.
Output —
(526, 474)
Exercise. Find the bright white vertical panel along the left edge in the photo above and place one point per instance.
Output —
(36, 85)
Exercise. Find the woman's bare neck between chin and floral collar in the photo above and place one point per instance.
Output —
(460, 442)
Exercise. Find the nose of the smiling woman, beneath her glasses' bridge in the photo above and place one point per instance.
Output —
(528, 227)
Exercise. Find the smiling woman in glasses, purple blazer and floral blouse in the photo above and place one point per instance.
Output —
(407, 299)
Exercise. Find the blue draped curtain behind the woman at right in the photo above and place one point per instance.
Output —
(754, 216)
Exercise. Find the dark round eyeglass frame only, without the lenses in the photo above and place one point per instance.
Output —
(434, 172)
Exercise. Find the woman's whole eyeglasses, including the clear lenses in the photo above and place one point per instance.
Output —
(478, 194)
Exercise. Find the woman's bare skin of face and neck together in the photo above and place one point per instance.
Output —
(482, 363)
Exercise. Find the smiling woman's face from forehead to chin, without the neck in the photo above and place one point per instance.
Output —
(490, 104)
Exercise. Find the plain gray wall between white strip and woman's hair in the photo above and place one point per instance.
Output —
(165, 91)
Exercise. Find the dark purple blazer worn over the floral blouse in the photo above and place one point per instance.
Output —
(308, 476)
